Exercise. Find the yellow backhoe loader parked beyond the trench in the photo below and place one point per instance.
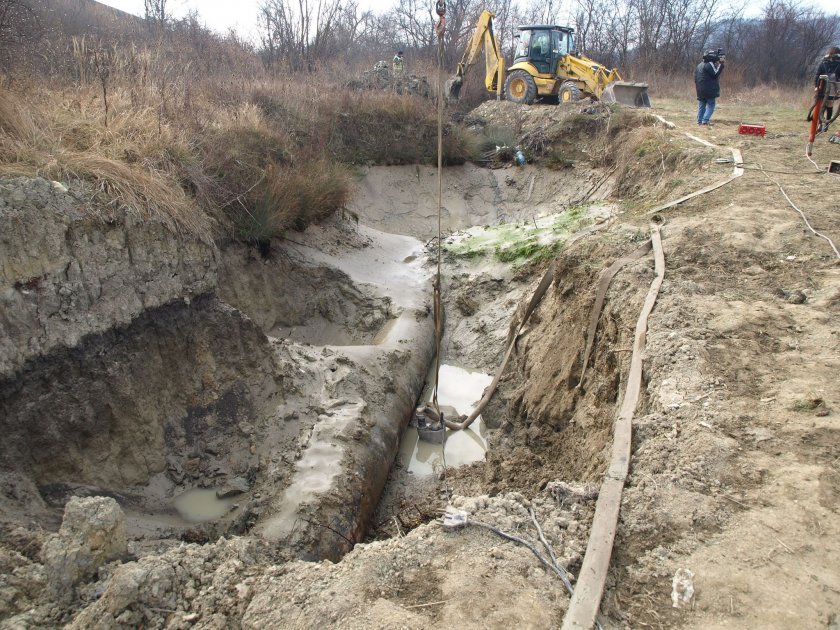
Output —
(545, 64)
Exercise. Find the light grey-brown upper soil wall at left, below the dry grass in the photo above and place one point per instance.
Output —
(66, 271)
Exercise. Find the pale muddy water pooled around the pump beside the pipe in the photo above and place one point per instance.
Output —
(461, 389)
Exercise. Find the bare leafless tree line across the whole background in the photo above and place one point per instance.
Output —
(644, 38)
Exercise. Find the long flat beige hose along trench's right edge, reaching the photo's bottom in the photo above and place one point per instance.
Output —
(586, 599)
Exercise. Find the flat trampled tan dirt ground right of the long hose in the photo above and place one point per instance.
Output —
(755, 372)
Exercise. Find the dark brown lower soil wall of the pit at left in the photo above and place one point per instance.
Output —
(109, 412)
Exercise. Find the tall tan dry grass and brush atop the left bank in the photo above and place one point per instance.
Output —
(219, 159)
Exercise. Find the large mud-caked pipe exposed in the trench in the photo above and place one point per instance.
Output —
(323, 521)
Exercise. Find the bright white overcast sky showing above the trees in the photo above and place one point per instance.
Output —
(221, 15)
